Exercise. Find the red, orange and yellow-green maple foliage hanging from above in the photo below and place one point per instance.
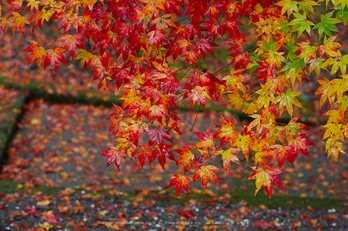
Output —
(135, 44)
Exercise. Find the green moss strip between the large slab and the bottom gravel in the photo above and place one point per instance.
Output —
(168, 197)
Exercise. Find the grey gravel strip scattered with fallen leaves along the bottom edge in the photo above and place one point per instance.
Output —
(75, 211)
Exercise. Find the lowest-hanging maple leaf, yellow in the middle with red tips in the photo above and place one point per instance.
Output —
(266, 177)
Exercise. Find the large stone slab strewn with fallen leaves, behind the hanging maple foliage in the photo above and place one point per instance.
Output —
(60, 145)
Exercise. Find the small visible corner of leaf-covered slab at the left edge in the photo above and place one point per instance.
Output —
(11, 104)
